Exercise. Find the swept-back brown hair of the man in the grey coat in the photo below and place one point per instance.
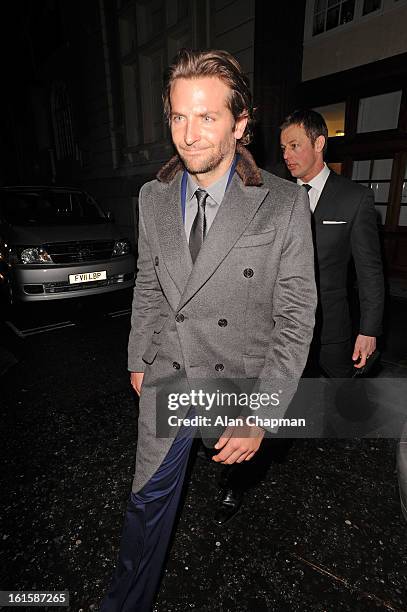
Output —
(192, 64)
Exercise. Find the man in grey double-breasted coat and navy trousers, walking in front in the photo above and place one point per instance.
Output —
(225, 290)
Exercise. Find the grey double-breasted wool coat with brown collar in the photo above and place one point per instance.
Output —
(245, 309)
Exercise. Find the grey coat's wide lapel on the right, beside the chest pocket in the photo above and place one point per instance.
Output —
(235, 213)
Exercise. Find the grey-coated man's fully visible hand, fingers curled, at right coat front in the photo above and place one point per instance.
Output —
(238, 444)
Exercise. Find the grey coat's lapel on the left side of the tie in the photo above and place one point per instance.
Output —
(171, 232)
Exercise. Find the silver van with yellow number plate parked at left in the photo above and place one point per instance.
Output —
(58, 243)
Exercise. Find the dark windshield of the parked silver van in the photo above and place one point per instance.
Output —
(50, 208)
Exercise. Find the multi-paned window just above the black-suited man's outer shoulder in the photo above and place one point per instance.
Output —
(375, 174)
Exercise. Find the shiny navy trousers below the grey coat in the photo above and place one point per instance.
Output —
(148, 525)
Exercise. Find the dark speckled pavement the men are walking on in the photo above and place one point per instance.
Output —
(323, 531)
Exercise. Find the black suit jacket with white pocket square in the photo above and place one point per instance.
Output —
(356, 236)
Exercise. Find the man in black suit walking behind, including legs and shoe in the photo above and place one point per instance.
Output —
(344, 228)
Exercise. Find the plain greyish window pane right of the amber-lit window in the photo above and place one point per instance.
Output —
(379, 112)
